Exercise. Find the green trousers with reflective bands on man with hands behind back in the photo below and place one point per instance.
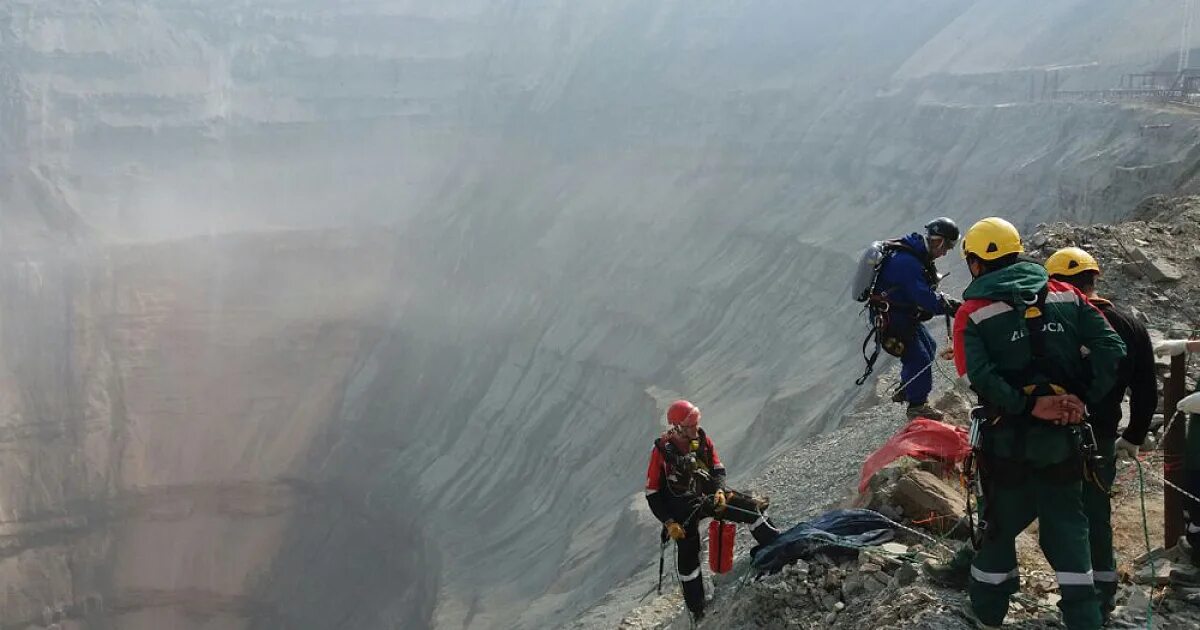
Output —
(1063, 535)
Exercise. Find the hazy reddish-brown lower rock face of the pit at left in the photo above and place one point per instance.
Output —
(161, 409)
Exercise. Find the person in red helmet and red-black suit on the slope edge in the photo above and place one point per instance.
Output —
(686, 483)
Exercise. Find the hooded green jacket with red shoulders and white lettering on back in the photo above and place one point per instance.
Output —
(994, 352)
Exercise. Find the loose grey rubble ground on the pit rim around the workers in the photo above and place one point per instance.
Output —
(1153, 267)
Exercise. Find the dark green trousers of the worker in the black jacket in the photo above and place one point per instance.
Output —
(1099, 507)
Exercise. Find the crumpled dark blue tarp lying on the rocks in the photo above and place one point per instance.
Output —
(830, 532)
